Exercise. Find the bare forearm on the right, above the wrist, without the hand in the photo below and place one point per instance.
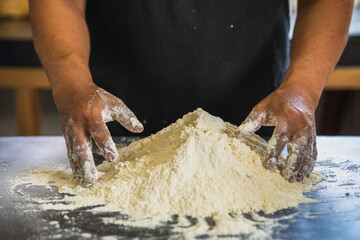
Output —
(320, 35)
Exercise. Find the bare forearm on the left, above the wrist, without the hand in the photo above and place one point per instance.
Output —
(61, 40)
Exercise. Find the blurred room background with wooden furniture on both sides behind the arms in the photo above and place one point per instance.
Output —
(27, 107)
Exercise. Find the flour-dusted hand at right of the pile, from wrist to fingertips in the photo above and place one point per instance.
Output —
(292, 113)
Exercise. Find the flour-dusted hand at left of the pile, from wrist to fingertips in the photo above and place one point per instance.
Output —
(83, 114)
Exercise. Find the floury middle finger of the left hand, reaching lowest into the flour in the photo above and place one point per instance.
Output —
(82, 158)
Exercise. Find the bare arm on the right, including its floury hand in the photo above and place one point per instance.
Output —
(320, 36)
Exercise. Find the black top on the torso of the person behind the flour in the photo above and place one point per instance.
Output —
(165, 58)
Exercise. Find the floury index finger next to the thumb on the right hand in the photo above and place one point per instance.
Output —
(276, 145)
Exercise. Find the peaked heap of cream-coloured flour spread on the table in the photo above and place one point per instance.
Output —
(195, 167)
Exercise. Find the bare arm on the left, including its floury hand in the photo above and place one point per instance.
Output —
(62, 42)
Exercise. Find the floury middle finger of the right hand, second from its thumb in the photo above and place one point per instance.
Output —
(294, 158)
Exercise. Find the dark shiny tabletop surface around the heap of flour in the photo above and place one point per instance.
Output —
(336, 216)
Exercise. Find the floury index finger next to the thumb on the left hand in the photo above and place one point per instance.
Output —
(101, 135)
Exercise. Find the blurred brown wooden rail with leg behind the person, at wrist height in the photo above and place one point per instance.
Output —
(27, 81)
